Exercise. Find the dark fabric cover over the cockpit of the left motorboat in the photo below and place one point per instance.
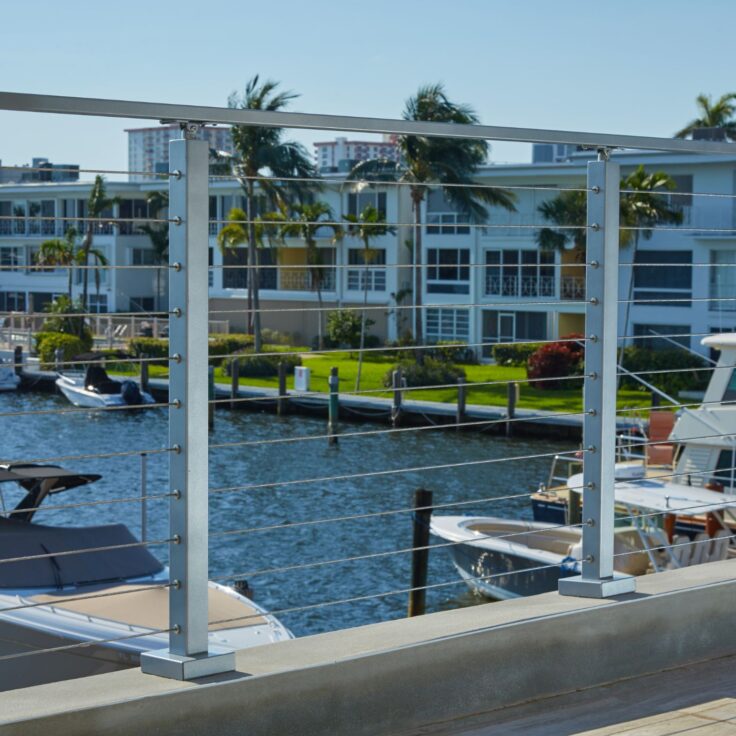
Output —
(21, 539)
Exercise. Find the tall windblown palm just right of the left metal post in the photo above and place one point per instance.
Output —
(263, 154)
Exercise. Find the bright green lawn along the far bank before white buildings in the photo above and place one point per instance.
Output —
(375, 367)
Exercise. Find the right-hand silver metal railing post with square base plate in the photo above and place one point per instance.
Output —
(598, 579)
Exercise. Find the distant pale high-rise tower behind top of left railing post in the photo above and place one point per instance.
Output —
(148, 148)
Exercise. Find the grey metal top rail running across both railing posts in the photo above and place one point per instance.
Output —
(22, 102)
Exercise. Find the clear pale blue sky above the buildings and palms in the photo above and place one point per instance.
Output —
(622, 66)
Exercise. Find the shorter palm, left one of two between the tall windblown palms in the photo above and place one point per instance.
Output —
(304, 221)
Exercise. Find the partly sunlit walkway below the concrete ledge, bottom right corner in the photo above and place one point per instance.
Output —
(698, 700)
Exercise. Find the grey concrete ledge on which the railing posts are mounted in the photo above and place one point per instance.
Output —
(404, 674)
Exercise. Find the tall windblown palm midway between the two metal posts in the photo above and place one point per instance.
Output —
(449, 162)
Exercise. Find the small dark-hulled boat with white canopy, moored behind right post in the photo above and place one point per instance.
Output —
(502, 558)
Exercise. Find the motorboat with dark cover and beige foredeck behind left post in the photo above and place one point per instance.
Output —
(62, 597)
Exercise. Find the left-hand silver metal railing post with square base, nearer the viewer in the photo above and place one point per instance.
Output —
(188, 655)
